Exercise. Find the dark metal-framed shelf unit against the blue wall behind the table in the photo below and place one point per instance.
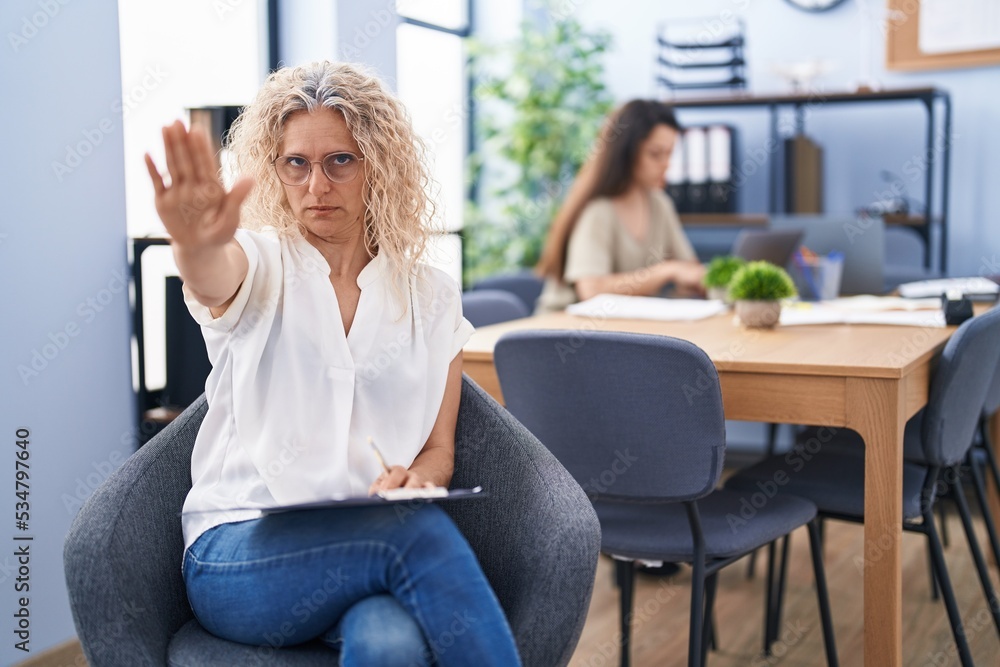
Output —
(936, 103)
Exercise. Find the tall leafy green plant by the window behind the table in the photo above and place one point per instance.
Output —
(547, 112)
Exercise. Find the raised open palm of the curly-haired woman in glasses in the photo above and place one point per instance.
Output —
(194, 207)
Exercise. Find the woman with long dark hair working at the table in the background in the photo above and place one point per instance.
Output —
(618, 232)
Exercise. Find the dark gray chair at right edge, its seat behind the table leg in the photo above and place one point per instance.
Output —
(936, 442)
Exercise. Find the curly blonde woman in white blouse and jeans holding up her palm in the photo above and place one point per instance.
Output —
(323, 330)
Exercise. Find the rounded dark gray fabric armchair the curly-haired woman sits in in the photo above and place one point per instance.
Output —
(536, 536)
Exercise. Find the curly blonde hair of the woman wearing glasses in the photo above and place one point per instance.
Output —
(398, 208)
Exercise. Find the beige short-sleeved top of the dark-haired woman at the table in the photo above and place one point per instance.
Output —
(601, 245)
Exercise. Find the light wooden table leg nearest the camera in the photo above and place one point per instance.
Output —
(876, 409)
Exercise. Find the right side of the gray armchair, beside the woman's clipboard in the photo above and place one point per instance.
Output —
(536, 534)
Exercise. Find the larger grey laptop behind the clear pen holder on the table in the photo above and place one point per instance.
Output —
(862, 241)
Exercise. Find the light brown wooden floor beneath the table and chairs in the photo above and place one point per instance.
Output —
(660, 628)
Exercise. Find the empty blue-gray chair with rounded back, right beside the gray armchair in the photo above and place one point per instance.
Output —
(638, 421)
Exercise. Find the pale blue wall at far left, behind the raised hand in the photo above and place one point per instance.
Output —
(64, 304)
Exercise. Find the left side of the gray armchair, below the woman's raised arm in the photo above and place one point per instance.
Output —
(122, 556)
